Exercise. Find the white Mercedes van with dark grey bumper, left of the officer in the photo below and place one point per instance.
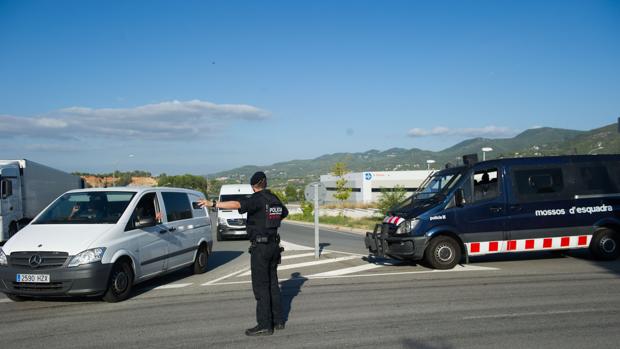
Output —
(101, 242)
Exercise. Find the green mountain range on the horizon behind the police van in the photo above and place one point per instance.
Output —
(533, 142)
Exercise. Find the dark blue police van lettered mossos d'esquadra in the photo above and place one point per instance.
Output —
(504, 206)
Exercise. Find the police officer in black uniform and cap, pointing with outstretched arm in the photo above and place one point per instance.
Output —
(265, 211)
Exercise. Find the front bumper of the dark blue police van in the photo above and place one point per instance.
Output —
(403, 248)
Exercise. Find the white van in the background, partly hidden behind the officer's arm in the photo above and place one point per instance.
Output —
(231, 223)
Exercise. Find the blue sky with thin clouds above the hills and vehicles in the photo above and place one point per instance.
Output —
(203, 86)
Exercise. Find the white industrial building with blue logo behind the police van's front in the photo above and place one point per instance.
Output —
(366, 187)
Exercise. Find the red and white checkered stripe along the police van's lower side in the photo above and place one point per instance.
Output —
(539, 244)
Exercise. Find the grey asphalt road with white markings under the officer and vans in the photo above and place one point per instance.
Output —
(516, 301)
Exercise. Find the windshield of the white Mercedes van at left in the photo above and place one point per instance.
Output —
(87, 208)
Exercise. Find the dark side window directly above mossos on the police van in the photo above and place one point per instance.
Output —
(539, 184)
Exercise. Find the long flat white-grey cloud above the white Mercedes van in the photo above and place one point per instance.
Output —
(166, 120)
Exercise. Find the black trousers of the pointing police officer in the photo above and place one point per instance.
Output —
(265, 285)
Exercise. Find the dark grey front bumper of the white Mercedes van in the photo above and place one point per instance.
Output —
(85, 280)
